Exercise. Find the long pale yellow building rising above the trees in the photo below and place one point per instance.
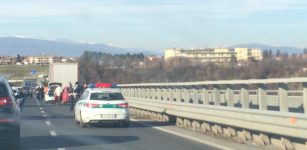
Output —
(216, 55)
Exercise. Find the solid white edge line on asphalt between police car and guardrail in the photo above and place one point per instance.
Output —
(185, 136)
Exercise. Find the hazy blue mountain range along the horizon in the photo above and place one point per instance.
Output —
(26, 47)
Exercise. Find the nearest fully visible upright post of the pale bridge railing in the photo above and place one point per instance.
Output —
(283, 96)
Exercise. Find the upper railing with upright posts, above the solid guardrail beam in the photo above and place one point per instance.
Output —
(258, 94)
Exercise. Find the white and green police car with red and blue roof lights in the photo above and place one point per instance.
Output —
(102, 103)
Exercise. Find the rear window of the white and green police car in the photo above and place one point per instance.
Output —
(106, 96)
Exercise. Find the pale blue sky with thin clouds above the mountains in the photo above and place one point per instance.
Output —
(158, 24)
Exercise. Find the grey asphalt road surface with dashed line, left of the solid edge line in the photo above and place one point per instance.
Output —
(52, 127)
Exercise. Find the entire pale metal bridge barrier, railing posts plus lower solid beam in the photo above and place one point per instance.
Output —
(279, 111)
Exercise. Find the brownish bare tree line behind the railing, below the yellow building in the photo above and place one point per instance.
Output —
(137, 68)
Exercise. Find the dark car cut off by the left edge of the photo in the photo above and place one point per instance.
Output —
(9, 118)
